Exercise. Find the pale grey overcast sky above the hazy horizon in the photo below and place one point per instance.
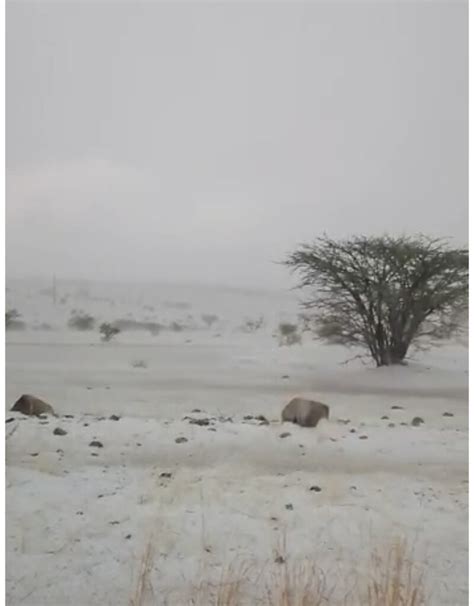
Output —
(152, 141)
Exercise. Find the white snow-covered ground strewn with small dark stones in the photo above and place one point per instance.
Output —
(80, 517)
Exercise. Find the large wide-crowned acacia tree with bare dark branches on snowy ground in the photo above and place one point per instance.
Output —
(383, 293)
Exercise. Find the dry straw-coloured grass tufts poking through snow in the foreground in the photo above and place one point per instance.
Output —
(393, 580)
